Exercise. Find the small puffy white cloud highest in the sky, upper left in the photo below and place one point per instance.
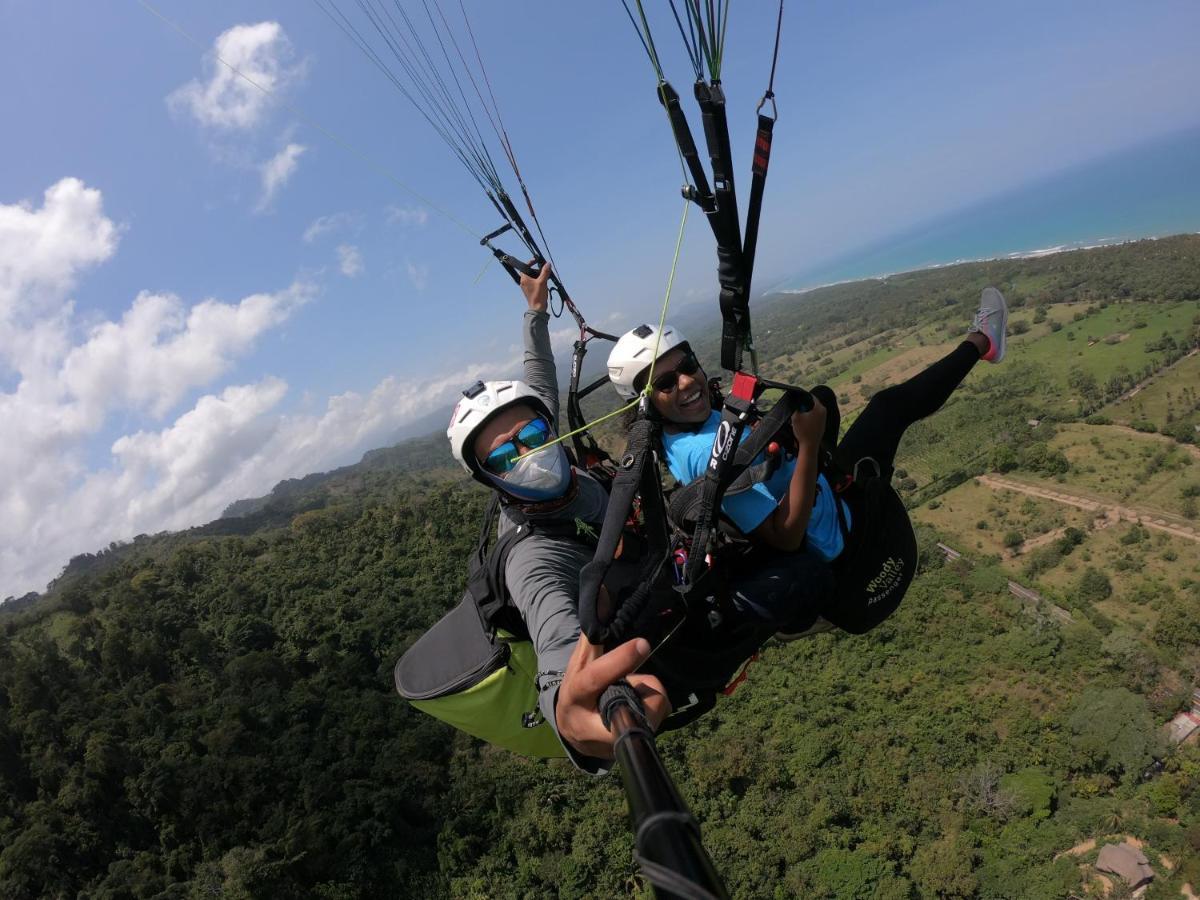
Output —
(224, 99)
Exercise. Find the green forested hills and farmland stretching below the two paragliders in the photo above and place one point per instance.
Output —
(212, 713)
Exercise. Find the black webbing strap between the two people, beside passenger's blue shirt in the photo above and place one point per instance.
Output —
(637, 476)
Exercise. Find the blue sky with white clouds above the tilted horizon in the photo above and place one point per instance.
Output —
(206, 290)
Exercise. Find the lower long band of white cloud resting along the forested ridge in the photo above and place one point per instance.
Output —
(227, 447)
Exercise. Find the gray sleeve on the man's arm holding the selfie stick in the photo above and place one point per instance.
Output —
(543, 580)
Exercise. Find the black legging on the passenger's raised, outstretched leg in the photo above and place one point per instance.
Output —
(877, 434)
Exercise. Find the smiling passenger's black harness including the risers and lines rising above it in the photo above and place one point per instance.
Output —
(681, 598)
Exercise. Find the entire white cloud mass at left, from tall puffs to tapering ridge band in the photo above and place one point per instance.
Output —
(233, 442)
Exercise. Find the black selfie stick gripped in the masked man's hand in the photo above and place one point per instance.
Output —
(668, 841)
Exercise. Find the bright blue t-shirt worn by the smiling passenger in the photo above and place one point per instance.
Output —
(688, 458)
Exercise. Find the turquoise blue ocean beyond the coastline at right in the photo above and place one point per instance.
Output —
(1151, 190)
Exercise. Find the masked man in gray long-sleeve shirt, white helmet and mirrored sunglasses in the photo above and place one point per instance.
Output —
(493, 433)
